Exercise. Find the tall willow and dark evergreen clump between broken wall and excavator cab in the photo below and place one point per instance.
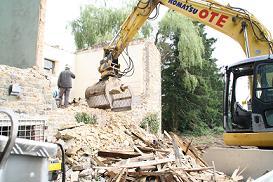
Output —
(190, 79)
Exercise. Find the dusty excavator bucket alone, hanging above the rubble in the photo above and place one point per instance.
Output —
(109, 94)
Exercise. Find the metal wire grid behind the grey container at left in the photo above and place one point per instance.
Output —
(28, 128)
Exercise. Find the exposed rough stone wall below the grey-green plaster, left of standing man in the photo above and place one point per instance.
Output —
(36, 94)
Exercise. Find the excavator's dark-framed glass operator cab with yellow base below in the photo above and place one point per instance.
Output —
(248, 102)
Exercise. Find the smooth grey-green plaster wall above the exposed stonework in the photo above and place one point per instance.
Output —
(19, 27)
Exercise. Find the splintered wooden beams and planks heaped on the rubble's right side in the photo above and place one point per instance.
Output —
(170, 159)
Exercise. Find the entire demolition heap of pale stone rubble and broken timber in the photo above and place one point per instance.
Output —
(122, 151)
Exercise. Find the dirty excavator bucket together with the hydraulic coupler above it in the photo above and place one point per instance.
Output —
(109, 92)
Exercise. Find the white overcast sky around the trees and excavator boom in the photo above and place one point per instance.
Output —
(60, 12)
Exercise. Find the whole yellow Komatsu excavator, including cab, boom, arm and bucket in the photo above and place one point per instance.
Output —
(247, 122)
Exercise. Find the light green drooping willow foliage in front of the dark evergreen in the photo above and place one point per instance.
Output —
(189, 46)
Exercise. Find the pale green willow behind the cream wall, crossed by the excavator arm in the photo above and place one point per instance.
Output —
(100, 24)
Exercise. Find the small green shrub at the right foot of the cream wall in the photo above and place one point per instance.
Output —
(152, 122)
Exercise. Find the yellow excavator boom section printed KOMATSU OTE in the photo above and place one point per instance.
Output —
(236, 23)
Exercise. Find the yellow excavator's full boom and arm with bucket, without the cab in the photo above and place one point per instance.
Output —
(237, 23)
